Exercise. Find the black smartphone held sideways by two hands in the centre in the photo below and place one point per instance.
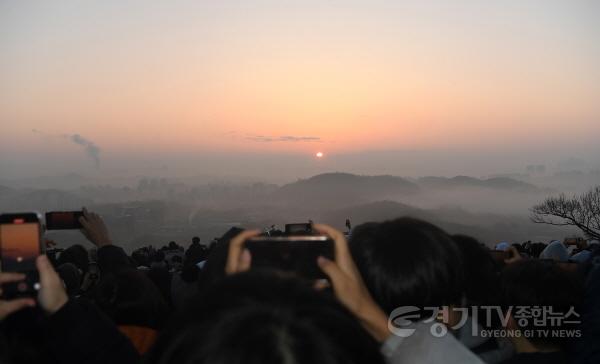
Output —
(296, 254)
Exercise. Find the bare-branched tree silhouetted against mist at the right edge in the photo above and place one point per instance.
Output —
(582, 211)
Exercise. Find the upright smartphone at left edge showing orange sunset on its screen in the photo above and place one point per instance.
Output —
(20, 245)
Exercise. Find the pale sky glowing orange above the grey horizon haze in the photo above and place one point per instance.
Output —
(183, 76)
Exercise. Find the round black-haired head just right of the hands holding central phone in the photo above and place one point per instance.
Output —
(408, 262)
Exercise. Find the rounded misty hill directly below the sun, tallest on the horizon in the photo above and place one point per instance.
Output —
(344, 189)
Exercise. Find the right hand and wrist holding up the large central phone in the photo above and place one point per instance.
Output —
(349, 287)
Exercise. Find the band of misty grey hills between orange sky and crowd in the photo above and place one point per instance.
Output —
(153, 210)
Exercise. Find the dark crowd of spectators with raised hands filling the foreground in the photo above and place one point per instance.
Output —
(398, 291)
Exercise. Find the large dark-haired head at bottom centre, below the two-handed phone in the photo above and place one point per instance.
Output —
(259, 317)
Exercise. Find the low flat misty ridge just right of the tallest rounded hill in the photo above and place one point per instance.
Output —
(503, 183)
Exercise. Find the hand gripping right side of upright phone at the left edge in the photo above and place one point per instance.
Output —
(52, 295)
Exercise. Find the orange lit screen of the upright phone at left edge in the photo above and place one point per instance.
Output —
(20, 246)
